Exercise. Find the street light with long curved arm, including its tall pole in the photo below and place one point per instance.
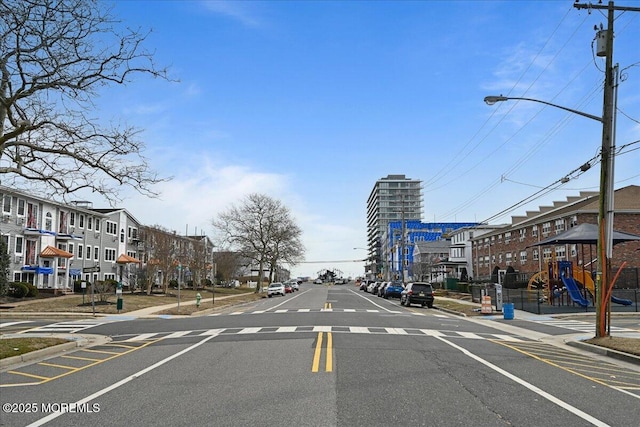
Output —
(605, 213)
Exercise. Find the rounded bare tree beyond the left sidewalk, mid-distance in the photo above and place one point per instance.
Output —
(262, 230)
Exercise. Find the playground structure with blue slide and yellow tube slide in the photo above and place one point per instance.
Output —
(562, 277)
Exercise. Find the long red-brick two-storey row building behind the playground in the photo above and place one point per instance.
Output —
(513, 245)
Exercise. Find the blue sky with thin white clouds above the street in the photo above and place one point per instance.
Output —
(311, 102)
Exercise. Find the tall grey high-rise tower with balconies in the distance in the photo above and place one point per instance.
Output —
(394, 198)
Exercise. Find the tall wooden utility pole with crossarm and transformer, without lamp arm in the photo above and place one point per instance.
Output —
(605, 205)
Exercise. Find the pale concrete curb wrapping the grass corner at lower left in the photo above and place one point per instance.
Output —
(75, 341)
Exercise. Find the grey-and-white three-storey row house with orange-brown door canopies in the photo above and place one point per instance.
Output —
(51, 244)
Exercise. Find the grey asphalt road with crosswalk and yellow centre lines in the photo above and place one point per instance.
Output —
(323, 357)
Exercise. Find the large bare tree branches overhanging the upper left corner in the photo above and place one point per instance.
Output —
(55, 55)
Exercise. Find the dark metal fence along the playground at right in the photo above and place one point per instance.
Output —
(535, 301)
